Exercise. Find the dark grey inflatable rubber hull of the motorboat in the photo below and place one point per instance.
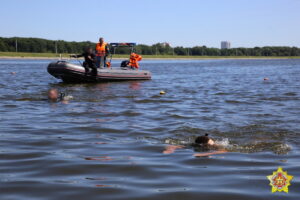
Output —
(73, 73)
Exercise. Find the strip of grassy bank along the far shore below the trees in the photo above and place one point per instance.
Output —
(55, 56)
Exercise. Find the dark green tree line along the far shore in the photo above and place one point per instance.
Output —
(37, 45)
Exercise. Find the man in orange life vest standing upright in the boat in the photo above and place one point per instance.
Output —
(102, 51)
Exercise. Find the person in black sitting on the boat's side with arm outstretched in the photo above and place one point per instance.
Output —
(89, 61)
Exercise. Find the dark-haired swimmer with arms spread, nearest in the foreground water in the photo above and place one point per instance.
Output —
(201, 141)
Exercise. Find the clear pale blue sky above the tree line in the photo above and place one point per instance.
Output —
(246, 23)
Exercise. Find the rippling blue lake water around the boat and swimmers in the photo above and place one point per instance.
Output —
(107, 142)
